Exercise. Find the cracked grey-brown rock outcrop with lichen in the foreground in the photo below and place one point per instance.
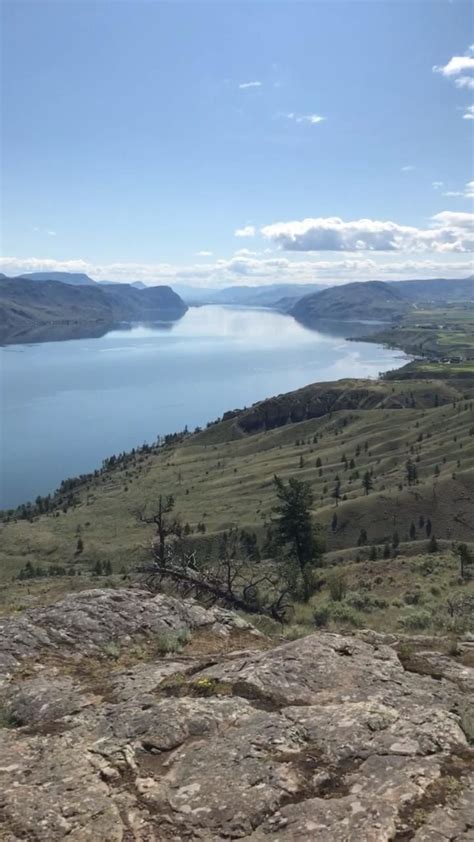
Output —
(324, 738)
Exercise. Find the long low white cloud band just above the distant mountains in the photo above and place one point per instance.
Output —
(250, 270)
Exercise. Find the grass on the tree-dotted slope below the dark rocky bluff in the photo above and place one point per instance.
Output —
(230, 483)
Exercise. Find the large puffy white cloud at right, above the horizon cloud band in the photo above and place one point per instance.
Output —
(448, 232)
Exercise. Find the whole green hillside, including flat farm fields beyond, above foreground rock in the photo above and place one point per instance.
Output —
(330, 435)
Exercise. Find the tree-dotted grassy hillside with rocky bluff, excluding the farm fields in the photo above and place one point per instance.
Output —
(222, 477)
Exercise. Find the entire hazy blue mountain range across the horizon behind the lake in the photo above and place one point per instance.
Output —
(63, 298)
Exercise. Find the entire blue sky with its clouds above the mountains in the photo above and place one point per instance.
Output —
(249, 142)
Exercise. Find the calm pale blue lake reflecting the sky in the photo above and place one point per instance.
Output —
(67, 405)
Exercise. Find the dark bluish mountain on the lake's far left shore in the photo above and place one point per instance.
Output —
(26, 304)
